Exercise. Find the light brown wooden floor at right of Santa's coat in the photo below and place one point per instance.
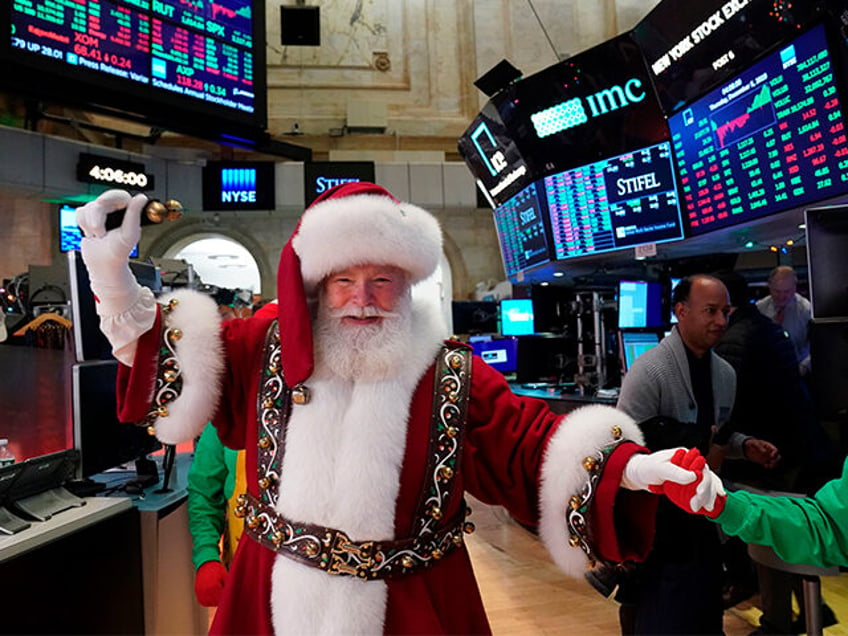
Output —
(525, 593)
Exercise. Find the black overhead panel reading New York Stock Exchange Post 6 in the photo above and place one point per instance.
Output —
(694, 46)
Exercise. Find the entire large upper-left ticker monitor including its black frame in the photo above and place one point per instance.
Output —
(193, 66)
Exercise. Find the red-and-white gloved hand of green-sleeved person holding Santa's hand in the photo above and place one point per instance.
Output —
(705, 495)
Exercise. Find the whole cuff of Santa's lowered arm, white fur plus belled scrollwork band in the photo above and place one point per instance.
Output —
(571, 474)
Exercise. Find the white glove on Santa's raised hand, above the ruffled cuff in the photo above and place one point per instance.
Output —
(106, 253)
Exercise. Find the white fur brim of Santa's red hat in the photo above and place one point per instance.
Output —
(362, 229)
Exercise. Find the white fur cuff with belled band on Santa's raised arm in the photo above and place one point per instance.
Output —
(189, 370)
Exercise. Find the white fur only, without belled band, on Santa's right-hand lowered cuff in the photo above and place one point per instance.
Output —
(582, 433)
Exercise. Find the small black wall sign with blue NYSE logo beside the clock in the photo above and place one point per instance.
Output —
(238, 186)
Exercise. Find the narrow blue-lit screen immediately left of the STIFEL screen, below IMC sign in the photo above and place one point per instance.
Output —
(522, 232)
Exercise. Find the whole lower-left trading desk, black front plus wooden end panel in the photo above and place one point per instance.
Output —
(117, 565)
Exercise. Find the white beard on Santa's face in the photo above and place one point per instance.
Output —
(365, 352)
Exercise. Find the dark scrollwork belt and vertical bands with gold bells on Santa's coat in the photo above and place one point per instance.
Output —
(332, 550)
